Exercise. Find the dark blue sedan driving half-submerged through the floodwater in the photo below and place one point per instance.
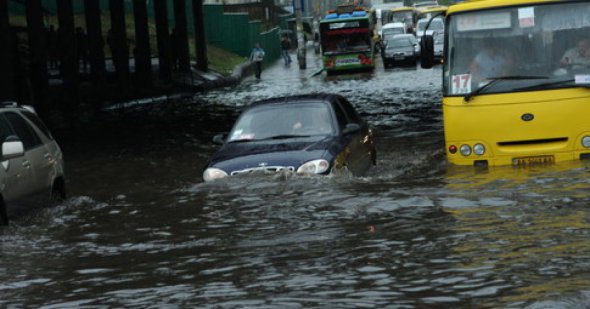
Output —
(306, 134)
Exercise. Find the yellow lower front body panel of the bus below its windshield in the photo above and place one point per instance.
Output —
(496, 121)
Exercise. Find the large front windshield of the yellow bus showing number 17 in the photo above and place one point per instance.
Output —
(551, 41)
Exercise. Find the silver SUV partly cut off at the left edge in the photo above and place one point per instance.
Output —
(31, 162)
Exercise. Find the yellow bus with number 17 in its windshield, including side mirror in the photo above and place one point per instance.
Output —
(516, 81)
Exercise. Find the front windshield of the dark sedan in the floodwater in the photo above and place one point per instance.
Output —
(282, 121)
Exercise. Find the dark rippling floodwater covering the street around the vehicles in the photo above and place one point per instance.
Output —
(140, 228)
